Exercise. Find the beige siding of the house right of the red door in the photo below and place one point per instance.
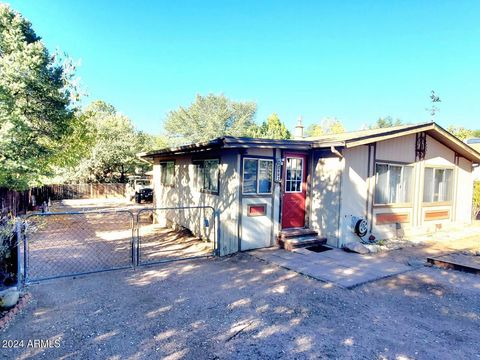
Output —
(415, 217)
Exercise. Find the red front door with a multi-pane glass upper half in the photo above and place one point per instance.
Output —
(294, 190)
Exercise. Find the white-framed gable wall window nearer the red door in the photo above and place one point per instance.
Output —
(393, 184)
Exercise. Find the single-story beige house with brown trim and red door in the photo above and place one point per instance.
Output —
(386, 182)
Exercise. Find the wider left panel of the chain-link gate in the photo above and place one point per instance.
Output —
(66, 244)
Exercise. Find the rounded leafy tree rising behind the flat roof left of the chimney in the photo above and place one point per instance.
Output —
(209, 117)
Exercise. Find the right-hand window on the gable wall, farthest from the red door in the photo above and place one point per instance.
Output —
(438, 185)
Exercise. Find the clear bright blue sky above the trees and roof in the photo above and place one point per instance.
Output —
(355, 60)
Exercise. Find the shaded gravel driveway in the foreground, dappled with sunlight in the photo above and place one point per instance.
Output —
(241, 307)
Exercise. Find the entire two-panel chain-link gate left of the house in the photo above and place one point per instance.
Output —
(63, 244)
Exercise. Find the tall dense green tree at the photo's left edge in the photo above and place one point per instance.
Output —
(36, 92)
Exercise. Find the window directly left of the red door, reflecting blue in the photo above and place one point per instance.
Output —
(257, 176)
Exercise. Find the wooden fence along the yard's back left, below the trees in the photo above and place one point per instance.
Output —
(19, 202)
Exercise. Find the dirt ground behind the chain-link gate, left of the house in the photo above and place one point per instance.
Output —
(64, 244)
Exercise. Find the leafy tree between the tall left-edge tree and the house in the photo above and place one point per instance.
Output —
(113, 145)
